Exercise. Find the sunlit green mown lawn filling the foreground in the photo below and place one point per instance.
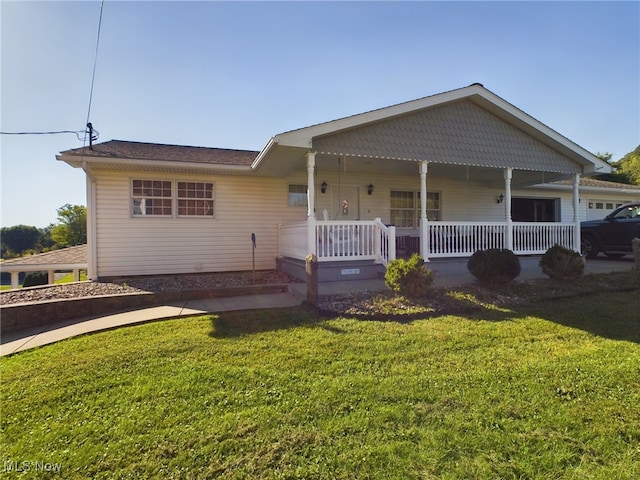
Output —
(548, 390)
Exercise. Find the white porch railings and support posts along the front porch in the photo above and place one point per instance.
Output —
(332, 240)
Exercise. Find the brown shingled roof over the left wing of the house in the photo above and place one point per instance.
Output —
(159, 152)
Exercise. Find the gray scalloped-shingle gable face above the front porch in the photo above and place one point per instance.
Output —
(458, 133)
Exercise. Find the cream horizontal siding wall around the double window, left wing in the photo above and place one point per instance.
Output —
(160, 245)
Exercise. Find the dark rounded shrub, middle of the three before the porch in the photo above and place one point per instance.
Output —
(494, 266)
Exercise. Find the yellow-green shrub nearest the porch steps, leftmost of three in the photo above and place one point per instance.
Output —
(410, 278)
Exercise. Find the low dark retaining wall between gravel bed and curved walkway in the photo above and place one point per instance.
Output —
(38, 314)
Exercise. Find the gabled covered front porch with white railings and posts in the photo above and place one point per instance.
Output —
(436, 176)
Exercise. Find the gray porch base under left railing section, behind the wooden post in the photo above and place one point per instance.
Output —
(333, 271)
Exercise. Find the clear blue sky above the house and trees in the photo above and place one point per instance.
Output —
(234, 74)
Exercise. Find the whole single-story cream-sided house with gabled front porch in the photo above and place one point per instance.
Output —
(444, 175)
